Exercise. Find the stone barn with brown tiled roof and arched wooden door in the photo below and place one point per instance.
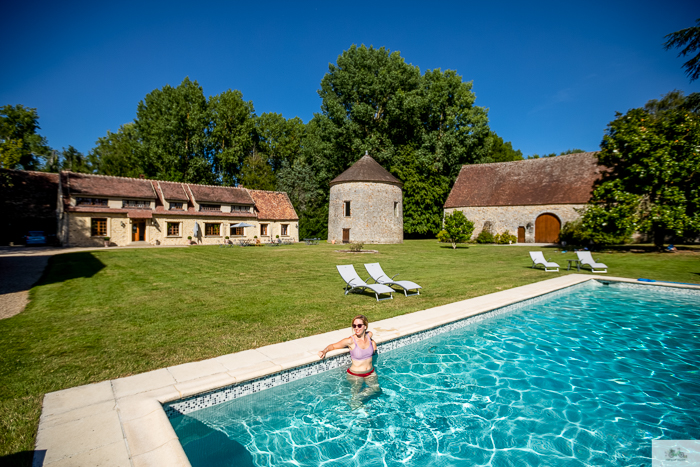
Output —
(531, 198)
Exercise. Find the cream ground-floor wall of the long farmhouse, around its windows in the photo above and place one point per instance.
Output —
(119, 229)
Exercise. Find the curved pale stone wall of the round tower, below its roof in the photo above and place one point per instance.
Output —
(372, 219)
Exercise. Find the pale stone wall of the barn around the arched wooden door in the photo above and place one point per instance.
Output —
(509, 218)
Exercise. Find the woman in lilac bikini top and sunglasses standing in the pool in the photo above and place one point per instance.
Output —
(362, 348)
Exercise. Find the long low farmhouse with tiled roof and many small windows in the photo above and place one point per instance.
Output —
(134, 211)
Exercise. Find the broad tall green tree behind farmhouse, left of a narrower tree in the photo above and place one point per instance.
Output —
(173, 125)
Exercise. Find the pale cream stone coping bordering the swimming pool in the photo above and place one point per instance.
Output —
(121, 422)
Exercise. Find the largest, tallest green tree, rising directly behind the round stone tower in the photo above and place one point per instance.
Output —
(422, 128)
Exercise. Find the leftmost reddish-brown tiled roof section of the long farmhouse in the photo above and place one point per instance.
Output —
(102, 185)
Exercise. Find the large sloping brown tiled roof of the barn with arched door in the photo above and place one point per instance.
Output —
(565, 179)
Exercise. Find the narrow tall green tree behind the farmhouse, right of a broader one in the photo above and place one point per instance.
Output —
(232, 133)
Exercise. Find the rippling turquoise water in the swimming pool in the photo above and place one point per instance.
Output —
(586, 377)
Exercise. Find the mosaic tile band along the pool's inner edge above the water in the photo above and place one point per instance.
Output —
(228, 393)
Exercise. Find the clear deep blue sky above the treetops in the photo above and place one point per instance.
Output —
(551, 73)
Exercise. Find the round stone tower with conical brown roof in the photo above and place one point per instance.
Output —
(366, 205)
